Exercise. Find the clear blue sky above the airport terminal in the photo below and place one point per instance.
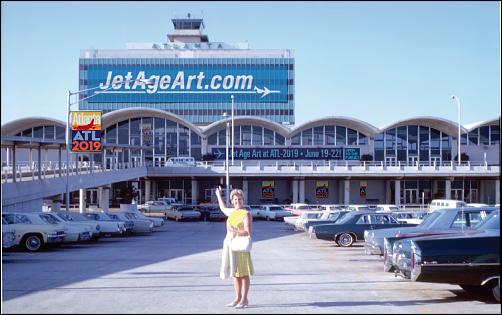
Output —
(378, 62)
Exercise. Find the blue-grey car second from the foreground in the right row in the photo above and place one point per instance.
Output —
(449, 221)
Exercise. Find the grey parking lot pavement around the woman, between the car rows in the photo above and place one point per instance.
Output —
(176, 270)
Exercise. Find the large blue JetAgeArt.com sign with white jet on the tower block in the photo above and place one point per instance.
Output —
(188, 83)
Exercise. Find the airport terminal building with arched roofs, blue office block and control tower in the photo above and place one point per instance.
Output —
(331, 160)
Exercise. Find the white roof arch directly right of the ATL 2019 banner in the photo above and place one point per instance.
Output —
(137, 112)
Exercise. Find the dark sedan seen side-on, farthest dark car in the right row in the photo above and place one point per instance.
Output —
(351, 227)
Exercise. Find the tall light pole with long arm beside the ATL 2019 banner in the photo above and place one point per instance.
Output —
(68, 105)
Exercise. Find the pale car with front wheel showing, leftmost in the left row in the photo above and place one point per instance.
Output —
(33, 236)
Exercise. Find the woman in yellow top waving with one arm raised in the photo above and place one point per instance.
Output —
(236, 264)
